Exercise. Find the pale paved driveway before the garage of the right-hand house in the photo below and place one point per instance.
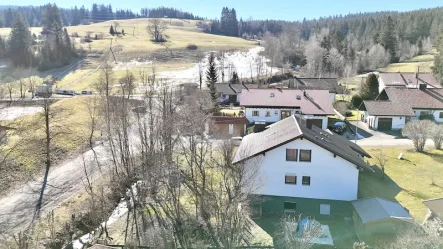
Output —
(378, 138)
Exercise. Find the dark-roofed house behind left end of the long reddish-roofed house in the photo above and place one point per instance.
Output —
(231, 93)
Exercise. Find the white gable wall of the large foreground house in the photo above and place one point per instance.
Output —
(331, 178)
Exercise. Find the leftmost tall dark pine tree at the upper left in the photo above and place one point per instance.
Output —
(20, 40)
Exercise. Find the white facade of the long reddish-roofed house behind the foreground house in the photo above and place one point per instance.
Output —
(273, 115)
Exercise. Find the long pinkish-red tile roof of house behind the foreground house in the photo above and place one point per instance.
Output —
(315, 102)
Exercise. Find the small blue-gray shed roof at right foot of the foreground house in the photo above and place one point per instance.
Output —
(377, 209)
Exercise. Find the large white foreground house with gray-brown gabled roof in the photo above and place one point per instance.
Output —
(302, 162)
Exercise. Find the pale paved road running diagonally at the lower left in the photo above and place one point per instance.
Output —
(17, 208)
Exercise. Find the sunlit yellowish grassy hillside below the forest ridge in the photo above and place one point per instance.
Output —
(136, 50)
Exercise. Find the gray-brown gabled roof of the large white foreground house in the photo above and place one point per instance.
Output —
(290, 129)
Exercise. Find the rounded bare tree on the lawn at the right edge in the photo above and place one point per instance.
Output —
(418, 131)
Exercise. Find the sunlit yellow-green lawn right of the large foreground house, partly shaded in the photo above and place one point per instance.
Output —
(410, 181)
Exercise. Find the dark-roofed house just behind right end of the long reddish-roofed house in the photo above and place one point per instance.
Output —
(329, 84)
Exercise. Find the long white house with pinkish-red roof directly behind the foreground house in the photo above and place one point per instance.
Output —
(272, 105)
